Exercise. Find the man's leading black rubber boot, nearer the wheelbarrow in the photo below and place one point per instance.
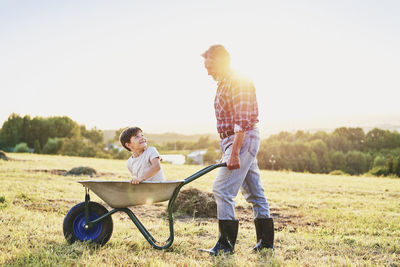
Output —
(228, 230)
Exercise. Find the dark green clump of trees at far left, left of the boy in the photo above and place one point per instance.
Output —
(53, 135)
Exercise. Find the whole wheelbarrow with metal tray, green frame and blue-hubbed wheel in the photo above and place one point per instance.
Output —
(91, 222)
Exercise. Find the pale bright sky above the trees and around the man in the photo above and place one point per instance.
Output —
(113, 64)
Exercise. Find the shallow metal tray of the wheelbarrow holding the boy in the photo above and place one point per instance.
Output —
(122, 194)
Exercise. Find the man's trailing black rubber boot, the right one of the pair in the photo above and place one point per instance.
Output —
(265, 233)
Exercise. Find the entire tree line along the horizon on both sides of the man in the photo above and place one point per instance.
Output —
(345, 150)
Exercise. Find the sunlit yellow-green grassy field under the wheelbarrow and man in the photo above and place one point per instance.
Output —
(320, 220)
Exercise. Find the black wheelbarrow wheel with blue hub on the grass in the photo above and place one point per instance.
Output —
(74, 222)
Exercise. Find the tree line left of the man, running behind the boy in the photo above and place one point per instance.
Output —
(61, 135)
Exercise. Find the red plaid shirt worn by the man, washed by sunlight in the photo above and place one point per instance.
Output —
(235, 105)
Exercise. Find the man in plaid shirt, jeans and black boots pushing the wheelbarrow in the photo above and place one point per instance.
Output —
(236, 110)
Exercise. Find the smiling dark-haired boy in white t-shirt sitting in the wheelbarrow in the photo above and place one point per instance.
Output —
(144, 164)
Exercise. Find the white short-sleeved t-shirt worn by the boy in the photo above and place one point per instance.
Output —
(137, 166)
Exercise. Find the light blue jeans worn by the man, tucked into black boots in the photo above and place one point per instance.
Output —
(228, 182)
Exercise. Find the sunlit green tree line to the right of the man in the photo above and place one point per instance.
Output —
(345, 150)
